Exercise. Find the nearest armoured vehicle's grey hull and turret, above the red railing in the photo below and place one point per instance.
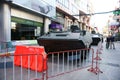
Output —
(71, 39)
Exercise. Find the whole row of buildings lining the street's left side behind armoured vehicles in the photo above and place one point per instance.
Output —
(21, 22)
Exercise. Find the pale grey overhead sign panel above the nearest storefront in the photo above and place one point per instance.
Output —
(45, 7)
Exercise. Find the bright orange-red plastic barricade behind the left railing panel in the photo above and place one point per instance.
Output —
(37, 62)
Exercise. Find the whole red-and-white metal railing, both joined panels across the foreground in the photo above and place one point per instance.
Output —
(30, 65)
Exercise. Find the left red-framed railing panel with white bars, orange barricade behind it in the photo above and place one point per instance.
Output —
(23, 64)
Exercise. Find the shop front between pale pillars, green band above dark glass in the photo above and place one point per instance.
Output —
(23, 29)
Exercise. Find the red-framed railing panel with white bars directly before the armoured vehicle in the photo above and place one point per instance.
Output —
(68, 61)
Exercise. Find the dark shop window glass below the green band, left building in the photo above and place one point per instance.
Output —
(24, 32)
